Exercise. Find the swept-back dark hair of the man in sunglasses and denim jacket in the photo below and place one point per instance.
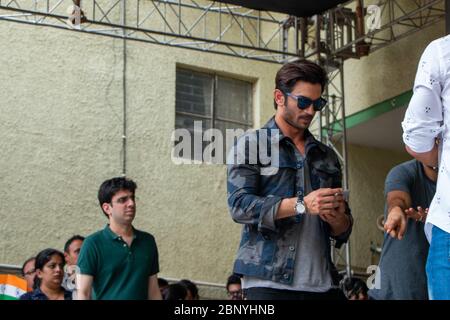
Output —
(302, 70)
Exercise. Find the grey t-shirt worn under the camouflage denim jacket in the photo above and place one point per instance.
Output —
(312, 267)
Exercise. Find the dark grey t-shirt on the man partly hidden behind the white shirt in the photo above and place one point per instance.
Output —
(402, 262)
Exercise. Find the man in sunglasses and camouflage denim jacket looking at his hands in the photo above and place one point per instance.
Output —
(291, 205)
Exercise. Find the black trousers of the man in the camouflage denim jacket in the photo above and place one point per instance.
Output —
(260, 293)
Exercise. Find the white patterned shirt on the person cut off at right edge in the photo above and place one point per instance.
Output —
(428, 117)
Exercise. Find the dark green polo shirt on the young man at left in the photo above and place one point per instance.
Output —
(120, 272)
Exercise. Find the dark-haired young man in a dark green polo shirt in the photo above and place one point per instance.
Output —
(118, 262)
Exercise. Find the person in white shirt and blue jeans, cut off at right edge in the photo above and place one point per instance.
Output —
(426, 136)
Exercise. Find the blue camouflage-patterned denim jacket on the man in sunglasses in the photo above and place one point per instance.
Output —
(267, 247)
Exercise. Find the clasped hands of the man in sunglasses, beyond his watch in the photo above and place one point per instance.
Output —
(324, 201)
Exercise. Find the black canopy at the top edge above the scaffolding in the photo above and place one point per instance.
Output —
(299, 8)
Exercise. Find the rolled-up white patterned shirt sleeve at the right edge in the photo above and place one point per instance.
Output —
(424, 119)
